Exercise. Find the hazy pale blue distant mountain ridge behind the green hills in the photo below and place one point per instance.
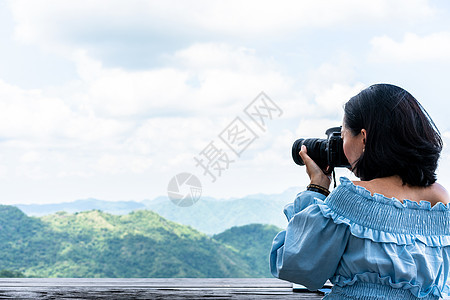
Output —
(208, 215)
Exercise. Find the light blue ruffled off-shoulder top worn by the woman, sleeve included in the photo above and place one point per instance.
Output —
(369, 246)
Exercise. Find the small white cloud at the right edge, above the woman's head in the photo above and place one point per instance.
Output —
(413, 48)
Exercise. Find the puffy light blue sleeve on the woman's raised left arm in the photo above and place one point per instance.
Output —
(310, 248)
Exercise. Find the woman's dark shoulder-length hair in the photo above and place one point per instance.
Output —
(401, 137)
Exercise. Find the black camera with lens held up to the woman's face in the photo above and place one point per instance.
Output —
(324, 152)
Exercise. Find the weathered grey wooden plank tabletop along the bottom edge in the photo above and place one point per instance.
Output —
(150, 288)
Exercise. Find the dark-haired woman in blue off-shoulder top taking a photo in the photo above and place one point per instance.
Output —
(386, 236)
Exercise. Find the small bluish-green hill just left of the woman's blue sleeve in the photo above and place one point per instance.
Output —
(253, 242)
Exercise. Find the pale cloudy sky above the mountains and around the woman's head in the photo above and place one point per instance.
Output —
(112, 99)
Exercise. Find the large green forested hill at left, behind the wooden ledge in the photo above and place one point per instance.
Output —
(97, 244)
